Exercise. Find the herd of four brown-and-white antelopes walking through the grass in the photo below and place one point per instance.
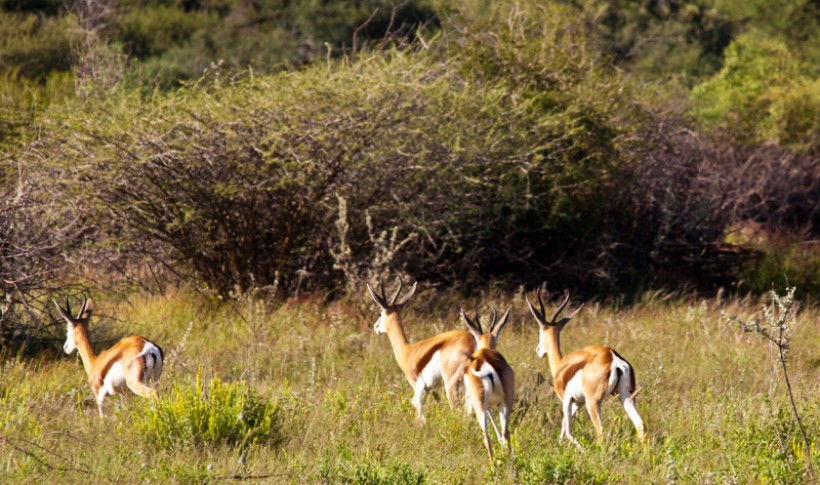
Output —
(468, 357)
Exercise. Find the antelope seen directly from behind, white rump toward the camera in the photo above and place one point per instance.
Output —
(489, 380)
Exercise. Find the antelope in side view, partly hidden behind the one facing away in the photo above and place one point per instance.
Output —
(442, 357)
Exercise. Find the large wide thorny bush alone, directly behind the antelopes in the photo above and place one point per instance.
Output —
(514, 142)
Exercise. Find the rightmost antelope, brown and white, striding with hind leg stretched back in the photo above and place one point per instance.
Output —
(586, 375)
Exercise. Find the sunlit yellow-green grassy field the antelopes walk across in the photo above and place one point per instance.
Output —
(323, 400)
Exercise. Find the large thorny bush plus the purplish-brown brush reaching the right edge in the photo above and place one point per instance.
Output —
(502, 150)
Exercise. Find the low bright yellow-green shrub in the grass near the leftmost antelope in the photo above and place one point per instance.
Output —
(216, 413)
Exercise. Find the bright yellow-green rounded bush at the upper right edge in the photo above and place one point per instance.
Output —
(763, 93)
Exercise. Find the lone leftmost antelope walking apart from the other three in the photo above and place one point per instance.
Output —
(133, 361)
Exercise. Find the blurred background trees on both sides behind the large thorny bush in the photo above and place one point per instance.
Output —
(751, 66)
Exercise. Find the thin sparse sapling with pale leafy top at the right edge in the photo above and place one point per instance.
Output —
(778, 328)
